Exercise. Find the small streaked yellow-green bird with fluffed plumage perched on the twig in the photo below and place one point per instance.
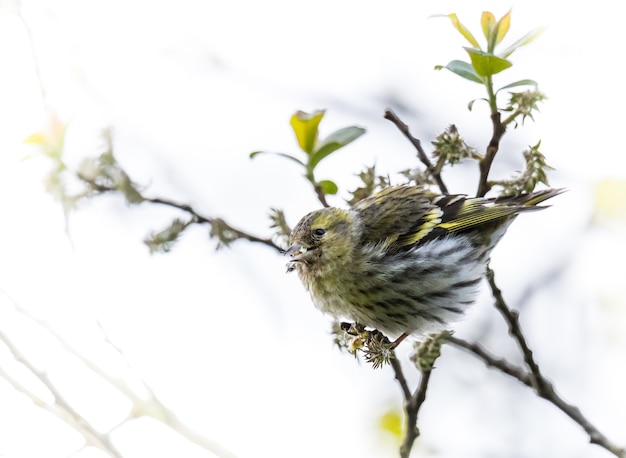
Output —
(405, 260)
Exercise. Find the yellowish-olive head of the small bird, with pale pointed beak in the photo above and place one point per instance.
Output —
(322, 238)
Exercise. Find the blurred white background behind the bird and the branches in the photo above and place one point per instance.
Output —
(224, 338)
